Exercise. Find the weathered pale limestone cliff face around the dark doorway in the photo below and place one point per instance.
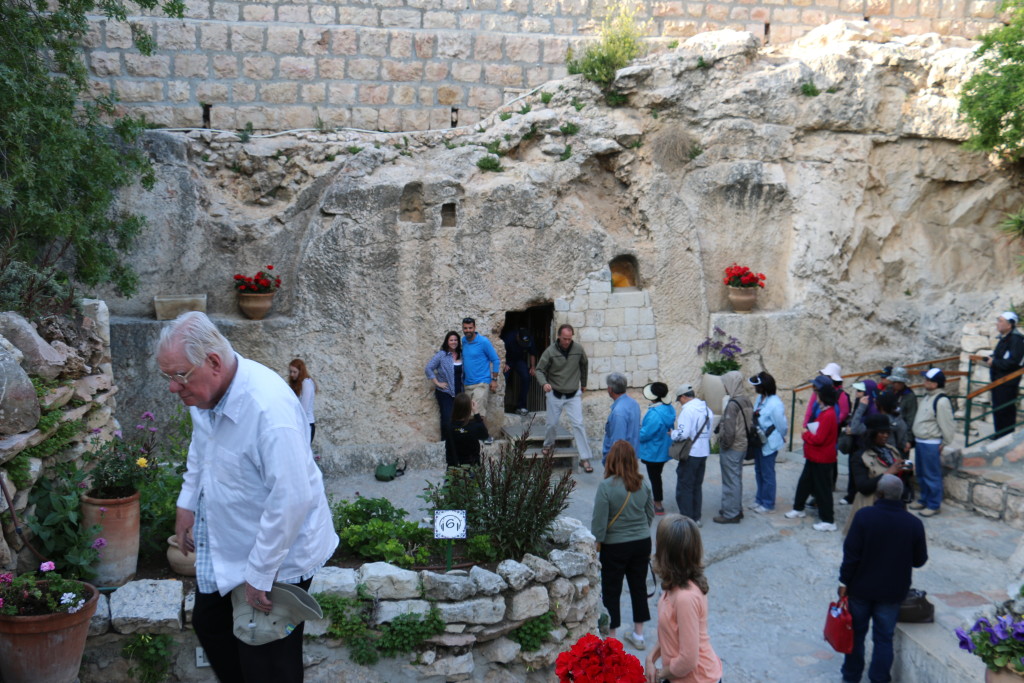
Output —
(875, 228)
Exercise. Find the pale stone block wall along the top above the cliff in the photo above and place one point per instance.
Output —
(417, 65)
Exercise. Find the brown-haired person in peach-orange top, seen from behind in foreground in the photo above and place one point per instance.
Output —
(684, 645)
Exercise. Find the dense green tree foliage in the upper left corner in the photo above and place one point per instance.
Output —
(64, 155)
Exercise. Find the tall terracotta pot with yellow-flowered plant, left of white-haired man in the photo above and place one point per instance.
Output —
(117, 469)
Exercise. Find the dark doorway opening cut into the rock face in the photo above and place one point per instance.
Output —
(536, 323)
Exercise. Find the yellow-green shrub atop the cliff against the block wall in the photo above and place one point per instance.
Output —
(620, 42)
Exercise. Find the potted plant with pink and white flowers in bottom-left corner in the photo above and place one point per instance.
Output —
(45, 621)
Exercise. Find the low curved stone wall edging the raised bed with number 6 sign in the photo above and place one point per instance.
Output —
(480, 608)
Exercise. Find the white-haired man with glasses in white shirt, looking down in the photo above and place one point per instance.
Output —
(252, 498)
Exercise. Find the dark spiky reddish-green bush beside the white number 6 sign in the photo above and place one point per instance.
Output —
(513, 499)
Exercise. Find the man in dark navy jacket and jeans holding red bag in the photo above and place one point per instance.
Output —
(884, 546)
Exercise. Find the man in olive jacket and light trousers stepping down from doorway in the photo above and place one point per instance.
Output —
(563, 373)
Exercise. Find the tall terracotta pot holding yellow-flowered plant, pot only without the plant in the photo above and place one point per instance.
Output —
(119, 522)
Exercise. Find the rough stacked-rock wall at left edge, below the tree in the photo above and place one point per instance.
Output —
(86, 392)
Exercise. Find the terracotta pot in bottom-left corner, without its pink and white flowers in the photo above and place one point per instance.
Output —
(48, 648)
